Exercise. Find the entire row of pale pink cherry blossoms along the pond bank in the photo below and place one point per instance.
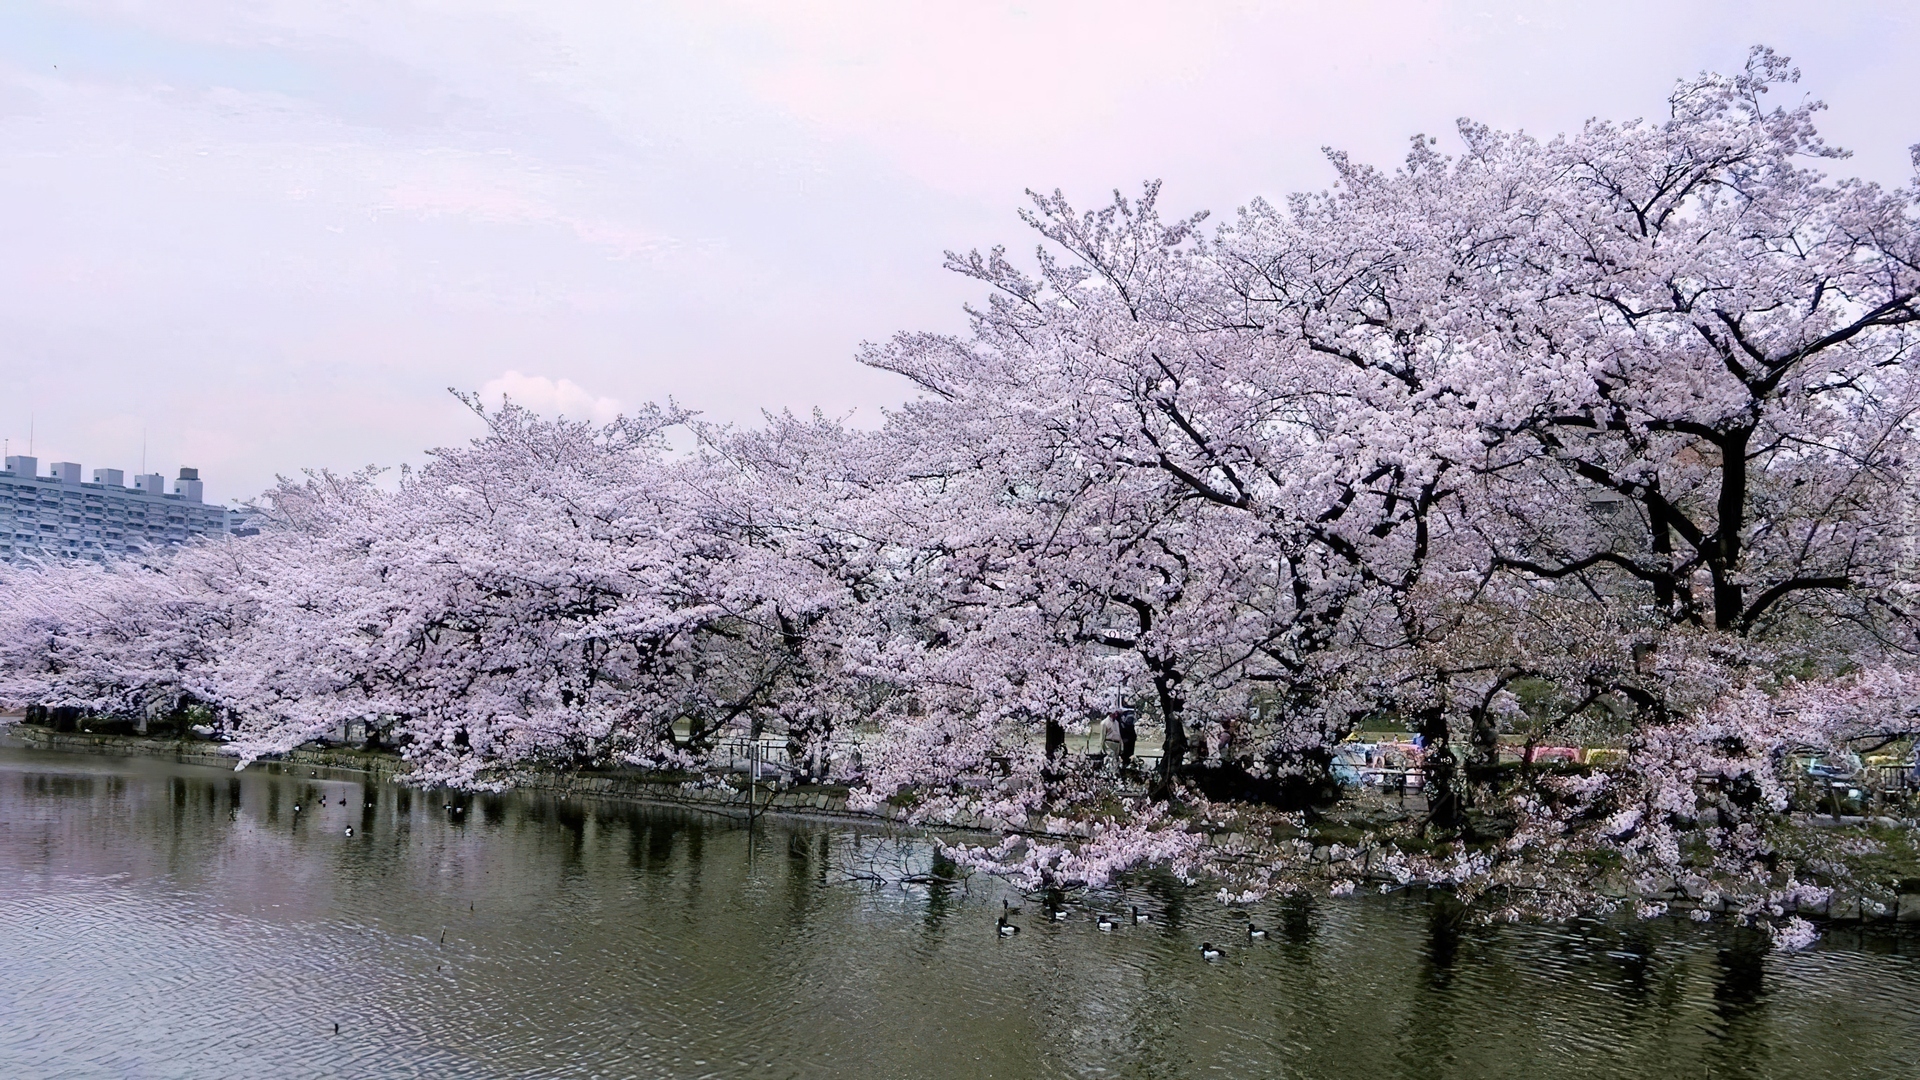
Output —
(1602, 437)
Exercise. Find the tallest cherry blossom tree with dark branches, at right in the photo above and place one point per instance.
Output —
(1627, 412)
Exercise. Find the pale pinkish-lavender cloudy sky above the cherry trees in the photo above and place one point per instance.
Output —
(268, 237)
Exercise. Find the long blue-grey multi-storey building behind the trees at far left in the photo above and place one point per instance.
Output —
(62, 516)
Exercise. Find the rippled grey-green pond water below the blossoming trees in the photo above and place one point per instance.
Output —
(178, 921)
